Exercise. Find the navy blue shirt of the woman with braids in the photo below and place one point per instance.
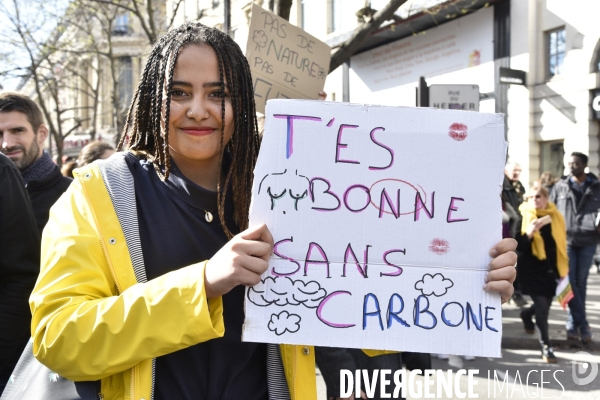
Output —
(174, 233)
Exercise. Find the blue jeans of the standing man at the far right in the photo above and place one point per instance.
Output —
(580, 261)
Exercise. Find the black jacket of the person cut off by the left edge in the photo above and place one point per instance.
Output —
(19, 266)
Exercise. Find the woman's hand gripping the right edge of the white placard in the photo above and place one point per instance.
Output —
(502, 272)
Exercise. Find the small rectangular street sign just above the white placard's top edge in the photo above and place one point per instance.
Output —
(455, 97)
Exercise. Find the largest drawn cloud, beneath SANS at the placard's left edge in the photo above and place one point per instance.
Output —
(281, 291)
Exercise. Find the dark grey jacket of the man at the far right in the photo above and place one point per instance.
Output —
(580, 219)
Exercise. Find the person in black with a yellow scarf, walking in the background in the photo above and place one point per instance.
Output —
(542, 261)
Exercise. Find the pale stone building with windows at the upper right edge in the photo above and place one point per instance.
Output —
(557, 45)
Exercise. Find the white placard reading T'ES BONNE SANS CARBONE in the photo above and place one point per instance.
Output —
(382, 218)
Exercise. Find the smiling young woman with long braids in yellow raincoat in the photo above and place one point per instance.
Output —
(125, 296)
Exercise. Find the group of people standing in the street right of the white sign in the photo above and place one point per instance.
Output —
(556, 225)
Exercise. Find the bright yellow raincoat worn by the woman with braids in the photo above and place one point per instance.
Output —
(92, 320)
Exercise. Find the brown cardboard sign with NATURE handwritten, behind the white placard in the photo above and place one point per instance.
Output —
(286, 62)
